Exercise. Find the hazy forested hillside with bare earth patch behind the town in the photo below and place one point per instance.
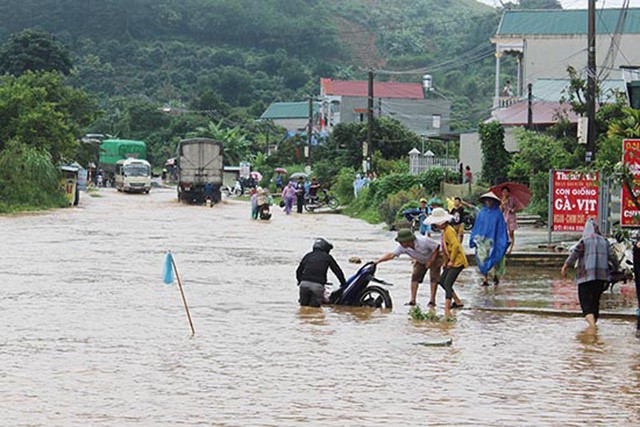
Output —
(252, 52)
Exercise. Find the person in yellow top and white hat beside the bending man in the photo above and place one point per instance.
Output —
(454, 258)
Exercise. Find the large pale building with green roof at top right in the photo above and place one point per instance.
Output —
(543, 43)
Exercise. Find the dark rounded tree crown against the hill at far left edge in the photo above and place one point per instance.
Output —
(33, 50)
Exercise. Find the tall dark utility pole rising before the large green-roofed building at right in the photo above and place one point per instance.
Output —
(591, 84)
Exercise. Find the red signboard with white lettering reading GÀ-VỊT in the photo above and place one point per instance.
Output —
(575, 198)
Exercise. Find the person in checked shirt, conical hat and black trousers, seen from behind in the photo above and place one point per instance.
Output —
(593, 275)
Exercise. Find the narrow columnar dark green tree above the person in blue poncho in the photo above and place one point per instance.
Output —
(495, 158)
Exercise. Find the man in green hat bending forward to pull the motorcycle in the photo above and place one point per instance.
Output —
(425, 253)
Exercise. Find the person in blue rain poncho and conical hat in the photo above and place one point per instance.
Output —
(490, 238)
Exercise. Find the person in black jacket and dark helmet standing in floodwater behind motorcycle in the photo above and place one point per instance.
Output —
(312, 273)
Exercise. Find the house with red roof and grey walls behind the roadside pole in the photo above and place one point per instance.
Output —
(345, 101)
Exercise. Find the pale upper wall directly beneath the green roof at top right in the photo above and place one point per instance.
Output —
(549, 56)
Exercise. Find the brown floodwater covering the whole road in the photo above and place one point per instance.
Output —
(91, 336)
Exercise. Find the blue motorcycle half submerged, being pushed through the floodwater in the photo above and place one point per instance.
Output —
(360, 292)
